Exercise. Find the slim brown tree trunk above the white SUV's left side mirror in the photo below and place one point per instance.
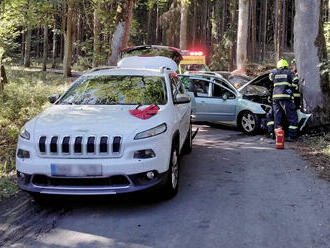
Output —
(68, 42)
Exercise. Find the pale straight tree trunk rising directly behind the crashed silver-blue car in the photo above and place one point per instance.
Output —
(242, 35)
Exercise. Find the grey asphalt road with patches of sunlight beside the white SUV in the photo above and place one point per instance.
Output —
(235, 191)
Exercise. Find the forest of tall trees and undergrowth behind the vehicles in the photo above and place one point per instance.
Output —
(244, 35)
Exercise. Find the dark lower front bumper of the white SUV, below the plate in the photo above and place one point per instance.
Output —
(115, 184)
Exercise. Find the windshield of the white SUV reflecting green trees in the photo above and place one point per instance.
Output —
(112, 90)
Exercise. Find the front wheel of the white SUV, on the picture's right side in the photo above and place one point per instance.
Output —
(172, 181)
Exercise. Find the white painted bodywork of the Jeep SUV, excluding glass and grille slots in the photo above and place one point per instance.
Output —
(99, 121)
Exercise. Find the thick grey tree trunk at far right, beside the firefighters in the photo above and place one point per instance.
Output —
(315, 89)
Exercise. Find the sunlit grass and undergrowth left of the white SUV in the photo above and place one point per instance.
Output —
(25, 96)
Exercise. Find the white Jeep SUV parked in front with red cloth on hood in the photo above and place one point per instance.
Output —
(88, 142)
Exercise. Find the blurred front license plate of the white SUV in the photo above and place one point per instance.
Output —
(73, 170)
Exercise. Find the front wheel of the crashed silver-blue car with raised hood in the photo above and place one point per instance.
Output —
(249, 122)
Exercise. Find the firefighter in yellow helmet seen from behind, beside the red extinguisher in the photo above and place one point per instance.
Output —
(283, 106)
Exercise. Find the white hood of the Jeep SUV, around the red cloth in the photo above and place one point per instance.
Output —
(92, 120)
